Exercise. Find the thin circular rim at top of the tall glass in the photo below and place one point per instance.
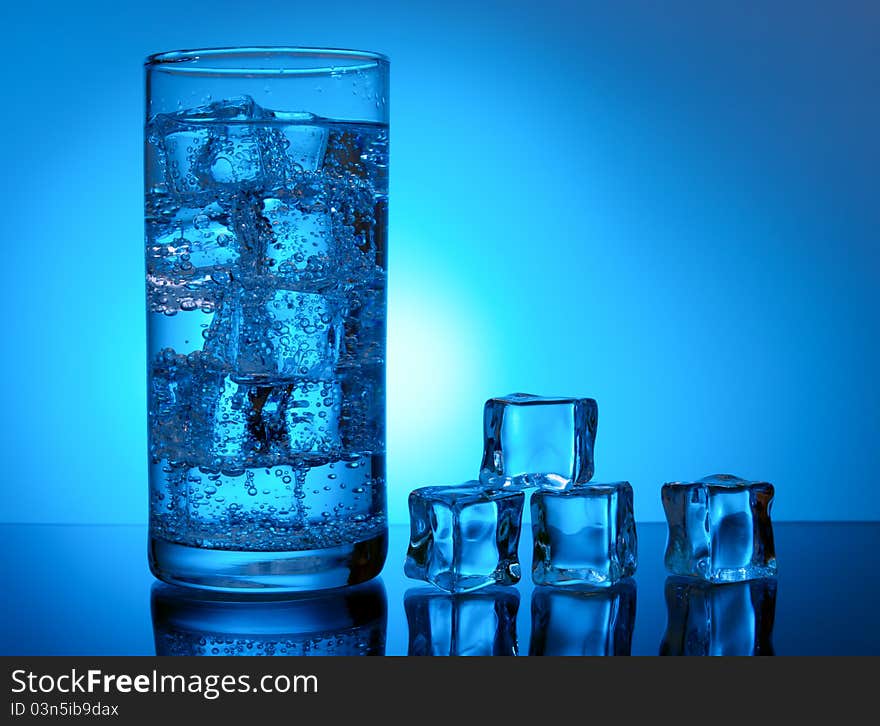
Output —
(339, 61)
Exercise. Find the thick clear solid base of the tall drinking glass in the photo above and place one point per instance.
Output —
(235, 571)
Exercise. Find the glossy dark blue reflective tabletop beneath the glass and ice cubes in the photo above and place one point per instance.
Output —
(85, 590)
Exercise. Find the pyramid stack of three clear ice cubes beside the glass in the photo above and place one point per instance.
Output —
(466, 537)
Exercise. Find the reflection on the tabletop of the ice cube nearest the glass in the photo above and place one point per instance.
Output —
(474, 624)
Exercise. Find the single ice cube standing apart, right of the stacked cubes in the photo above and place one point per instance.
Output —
(719, 528)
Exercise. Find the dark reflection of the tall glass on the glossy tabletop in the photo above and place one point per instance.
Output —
(346, 621)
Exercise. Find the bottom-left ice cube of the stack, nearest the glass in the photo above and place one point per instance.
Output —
(465, 537)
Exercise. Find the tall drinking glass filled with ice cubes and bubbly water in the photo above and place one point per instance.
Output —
(266, 198)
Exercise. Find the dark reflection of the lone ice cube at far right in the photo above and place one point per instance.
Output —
(730, 619)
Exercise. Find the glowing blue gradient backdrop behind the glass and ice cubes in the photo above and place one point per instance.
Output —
(671, 209)
